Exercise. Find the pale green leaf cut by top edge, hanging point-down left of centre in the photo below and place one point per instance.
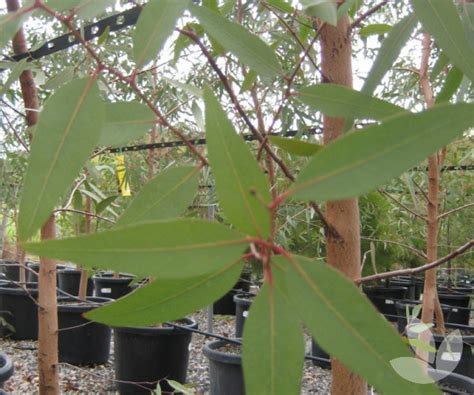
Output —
(155, 24)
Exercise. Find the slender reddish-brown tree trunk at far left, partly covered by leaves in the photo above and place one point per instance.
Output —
(47, 312)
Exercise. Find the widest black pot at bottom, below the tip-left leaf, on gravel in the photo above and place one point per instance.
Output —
(149, 354)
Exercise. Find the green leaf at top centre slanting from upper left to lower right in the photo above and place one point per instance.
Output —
(247, 47)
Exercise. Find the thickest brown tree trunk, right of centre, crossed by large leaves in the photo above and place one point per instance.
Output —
(343, 252)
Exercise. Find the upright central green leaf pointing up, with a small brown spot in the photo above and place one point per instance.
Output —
(242, 188)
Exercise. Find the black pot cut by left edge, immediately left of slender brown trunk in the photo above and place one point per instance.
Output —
(19, 310)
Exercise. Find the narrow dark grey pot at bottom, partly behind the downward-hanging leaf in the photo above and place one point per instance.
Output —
(225, 369)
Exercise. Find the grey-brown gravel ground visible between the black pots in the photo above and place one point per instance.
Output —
(99, 379)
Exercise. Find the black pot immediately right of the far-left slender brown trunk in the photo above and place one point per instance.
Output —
(82, 342)
